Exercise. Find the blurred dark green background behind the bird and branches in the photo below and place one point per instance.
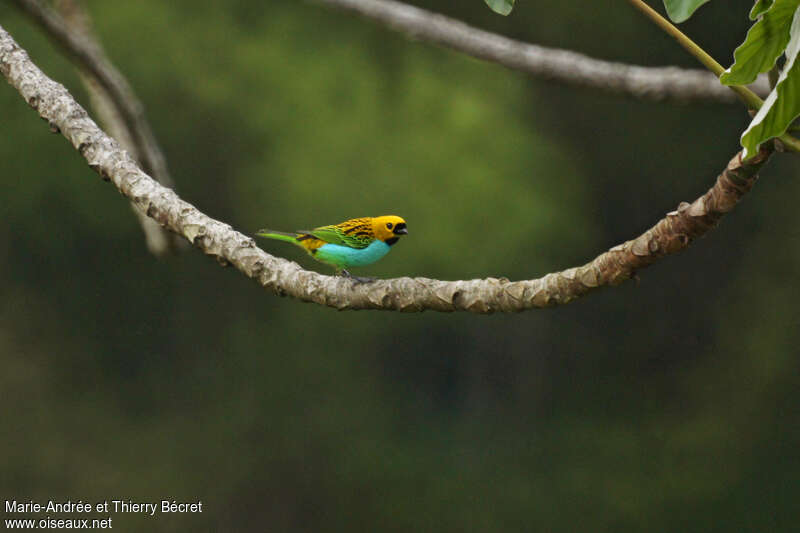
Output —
(664, 405)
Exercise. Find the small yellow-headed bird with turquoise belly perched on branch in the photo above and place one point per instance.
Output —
(355, 242)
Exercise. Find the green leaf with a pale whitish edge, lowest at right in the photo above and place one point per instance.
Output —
(782, 105)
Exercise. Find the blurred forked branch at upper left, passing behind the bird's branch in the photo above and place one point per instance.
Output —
(112, 98)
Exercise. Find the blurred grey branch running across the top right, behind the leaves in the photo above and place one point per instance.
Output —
(652, 83)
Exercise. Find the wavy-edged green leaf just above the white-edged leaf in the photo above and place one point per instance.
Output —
(763, 45)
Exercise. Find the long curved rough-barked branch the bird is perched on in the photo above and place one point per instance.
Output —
(670, 235)
